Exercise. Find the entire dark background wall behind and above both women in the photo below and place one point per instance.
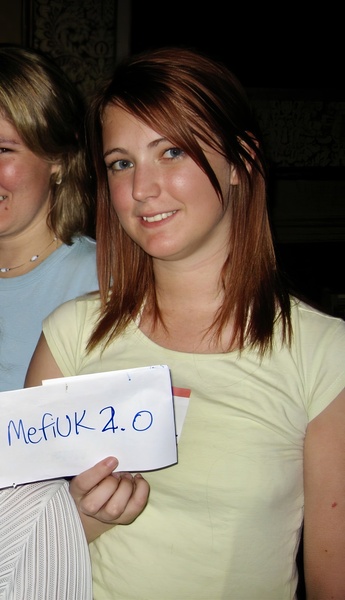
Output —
(289, 58)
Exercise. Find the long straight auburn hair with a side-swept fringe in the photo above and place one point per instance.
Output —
(188, 97)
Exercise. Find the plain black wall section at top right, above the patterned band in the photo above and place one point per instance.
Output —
(287, 45)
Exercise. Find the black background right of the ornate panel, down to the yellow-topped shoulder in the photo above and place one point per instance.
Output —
(289, 63)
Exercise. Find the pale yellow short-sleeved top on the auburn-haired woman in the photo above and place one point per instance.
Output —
(224, 523)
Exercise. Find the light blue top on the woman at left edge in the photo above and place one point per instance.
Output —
(26, 300)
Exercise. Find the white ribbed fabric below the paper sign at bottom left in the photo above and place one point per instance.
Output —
(43, 550)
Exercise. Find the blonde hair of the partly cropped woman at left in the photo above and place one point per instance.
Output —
(48, 113)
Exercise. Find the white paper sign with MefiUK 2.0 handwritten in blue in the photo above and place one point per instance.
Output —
(66, 425)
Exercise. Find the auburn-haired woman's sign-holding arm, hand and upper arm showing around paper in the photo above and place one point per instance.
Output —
(103, 498)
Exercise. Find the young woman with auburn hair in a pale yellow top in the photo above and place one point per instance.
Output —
(188, 278)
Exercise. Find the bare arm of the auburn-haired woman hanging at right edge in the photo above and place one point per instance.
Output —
(324, 517)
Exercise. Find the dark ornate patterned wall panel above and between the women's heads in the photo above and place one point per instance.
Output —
(79, 36)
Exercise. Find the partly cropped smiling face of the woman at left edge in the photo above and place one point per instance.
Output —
(24, 183)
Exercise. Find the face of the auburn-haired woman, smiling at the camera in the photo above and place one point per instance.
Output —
(164, 201)
